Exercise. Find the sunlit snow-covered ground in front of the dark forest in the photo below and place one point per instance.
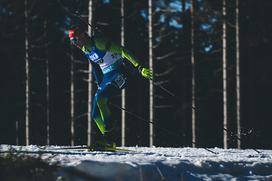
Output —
(142, 163)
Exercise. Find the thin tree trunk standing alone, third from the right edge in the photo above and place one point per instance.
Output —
(193, 74)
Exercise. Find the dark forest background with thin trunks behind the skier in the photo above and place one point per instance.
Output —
(180, 34)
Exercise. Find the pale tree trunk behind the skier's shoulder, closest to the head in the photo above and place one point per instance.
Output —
(89, 132)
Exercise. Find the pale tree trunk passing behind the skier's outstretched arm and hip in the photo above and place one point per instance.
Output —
(123, 122)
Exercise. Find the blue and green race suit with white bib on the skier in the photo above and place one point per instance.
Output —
(107, 59)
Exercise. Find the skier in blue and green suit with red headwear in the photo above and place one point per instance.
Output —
(110, 72)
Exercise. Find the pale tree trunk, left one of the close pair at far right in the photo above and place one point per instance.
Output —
(224, 69)
